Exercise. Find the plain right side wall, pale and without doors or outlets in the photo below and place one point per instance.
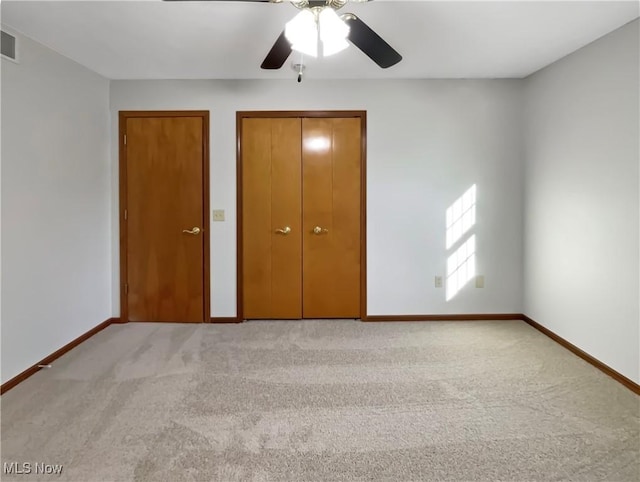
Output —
(582, 203)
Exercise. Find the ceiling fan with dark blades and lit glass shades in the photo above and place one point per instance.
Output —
(318, 18)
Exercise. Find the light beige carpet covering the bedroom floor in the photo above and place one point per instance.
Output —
(323, 400)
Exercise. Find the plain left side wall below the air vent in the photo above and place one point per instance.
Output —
(56, 258)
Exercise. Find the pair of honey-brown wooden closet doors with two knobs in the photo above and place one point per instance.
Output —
(301, 217)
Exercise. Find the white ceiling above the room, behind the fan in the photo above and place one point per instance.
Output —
(153, 39)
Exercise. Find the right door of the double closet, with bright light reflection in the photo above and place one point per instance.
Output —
(331, 173)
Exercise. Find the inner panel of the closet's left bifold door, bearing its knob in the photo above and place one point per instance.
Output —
(286, 198)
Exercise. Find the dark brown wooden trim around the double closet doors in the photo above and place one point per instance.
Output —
(362, 115)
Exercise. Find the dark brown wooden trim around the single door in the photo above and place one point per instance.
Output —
(122, 120)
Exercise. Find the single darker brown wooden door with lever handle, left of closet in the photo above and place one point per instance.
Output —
(165, 218)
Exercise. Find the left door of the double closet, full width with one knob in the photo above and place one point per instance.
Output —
(271, 221)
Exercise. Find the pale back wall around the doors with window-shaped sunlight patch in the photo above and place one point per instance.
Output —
(428, 141)
